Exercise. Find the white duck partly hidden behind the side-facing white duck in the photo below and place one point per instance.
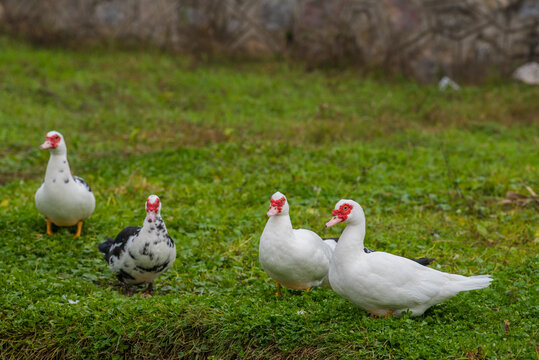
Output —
(296, 258)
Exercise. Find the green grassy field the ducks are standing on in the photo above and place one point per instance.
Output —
(214, 141)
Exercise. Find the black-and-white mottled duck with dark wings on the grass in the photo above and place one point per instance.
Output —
(140, 254)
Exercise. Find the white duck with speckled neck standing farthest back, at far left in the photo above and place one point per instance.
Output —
(63, 199)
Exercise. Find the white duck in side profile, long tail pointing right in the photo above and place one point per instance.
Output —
(384, 284)
